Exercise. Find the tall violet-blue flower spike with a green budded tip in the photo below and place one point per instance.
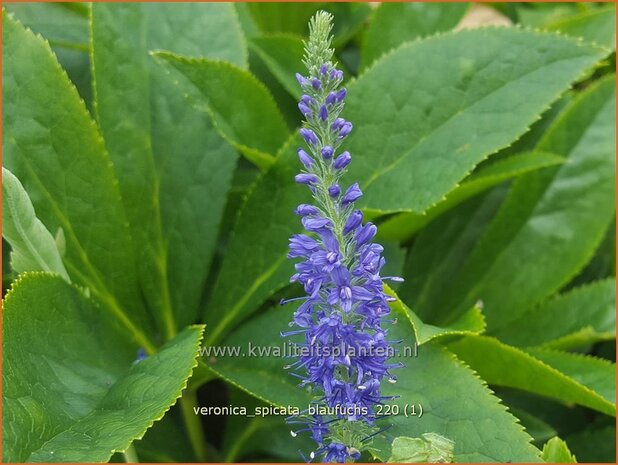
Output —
(344, 349)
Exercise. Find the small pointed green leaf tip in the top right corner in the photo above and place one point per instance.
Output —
(593, 25)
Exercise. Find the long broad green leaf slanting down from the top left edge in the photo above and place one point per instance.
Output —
(56, 151)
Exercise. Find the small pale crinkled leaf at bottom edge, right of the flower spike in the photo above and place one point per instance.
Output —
(429, 448)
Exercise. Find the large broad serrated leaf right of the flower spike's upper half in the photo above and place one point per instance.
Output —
(435, 108)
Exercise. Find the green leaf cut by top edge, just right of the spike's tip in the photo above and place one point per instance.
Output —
(392, 24)
